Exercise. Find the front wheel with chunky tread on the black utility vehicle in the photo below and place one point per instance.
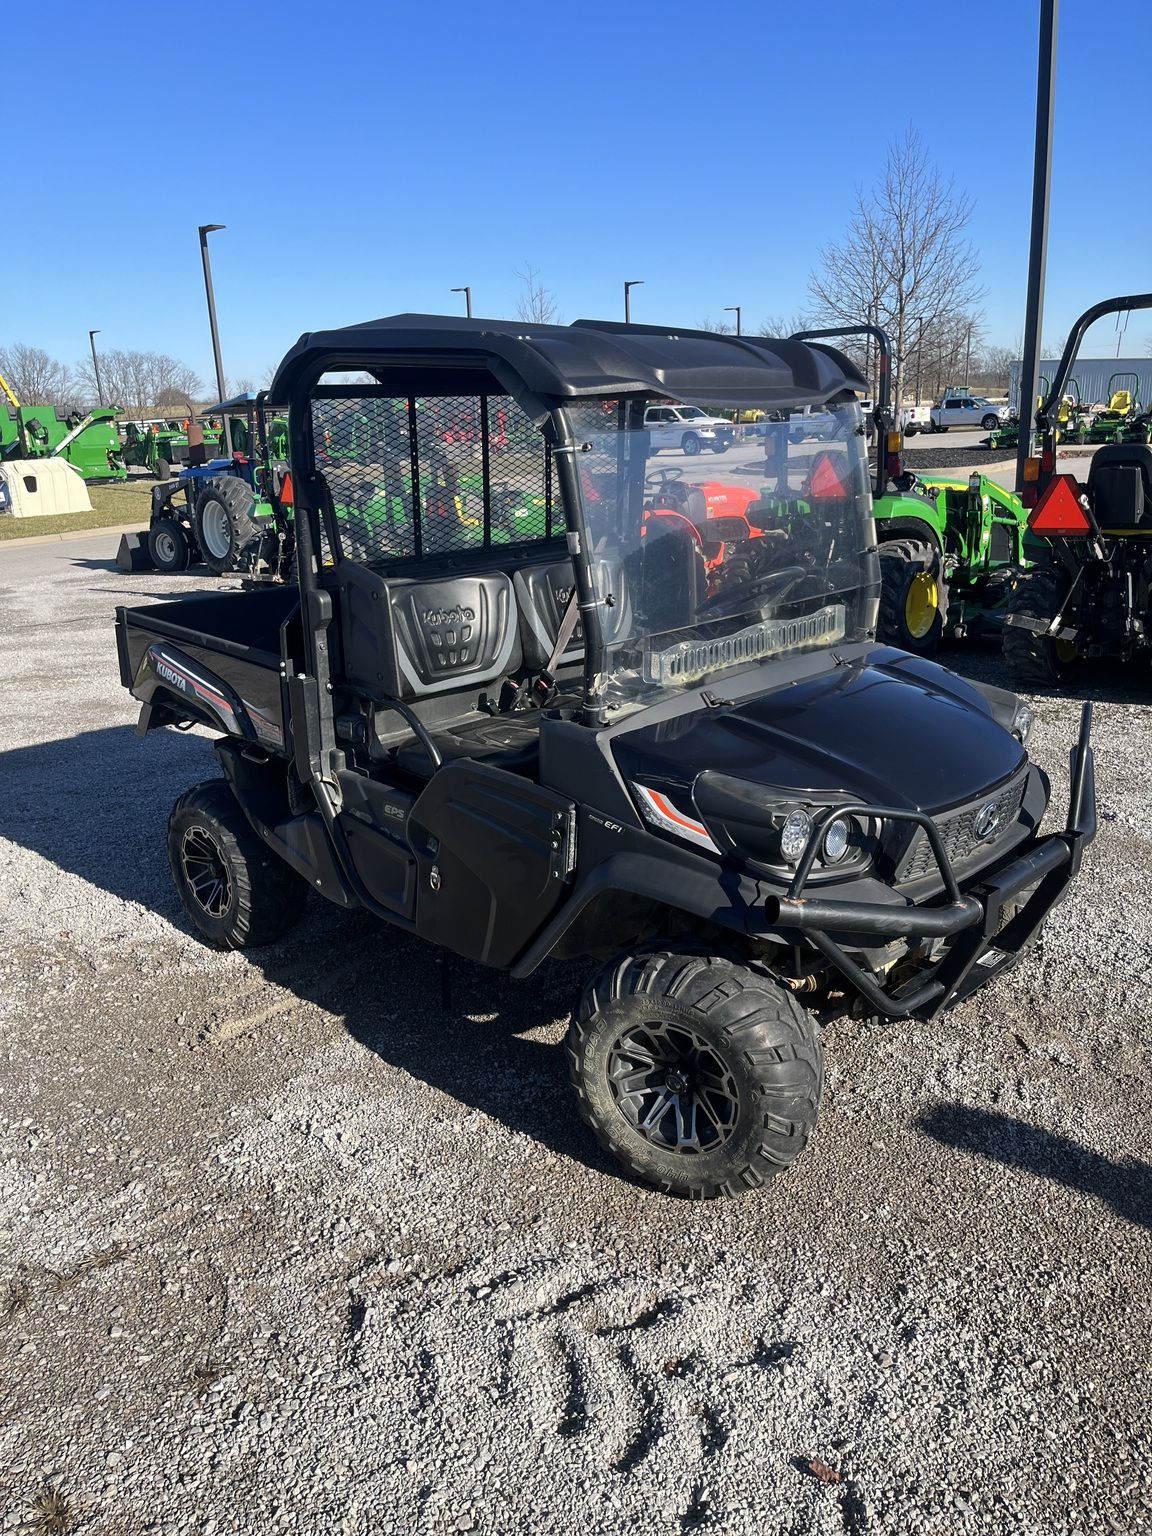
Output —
(701, 1076)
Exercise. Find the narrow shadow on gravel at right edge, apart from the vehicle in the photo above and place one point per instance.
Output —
(1127, 1187)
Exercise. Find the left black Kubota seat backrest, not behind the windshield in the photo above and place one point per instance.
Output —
(414, 640)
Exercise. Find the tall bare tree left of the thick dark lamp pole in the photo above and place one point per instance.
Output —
(904, 262)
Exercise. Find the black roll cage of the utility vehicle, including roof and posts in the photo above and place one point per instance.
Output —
(545, 371)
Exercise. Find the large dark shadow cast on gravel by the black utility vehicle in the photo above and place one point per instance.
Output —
(96, 806)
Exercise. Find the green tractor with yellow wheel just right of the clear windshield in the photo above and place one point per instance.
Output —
(948, 549)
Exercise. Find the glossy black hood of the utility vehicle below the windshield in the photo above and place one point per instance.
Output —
(889, 729)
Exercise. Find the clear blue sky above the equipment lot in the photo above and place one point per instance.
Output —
(366, 159)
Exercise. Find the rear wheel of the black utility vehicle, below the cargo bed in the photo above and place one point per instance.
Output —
(234, 890)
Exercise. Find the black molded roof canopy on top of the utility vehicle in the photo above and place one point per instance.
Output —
(446, 356)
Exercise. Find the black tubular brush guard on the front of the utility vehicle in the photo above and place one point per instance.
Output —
(982, 942)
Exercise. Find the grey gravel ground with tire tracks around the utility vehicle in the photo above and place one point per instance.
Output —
(285, 1246)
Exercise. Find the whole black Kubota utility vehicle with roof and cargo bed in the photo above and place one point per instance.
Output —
(717, 783)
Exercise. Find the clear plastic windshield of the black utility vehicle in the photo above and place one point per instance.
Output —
(712, 558)
